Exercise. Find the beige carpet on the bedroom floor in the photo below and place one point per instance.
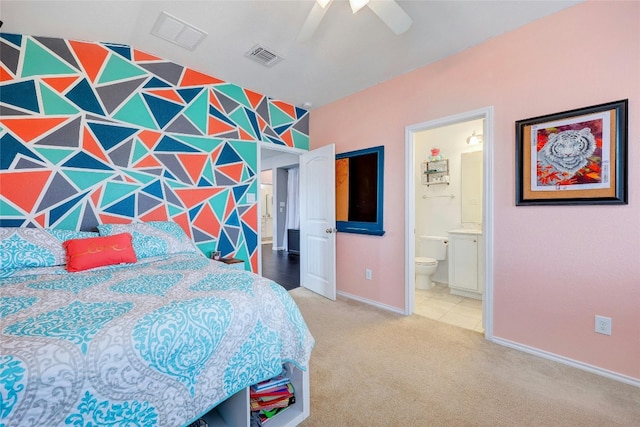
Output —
(371, 367)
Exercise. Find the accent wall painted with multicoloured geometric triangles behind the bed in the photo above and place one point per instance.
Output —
(97, 133)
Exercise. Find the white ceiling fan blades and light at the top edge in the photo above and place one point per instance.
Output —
(387, 10)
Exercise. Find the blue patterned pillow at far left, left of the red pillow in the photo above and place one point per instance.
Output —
(34, 247)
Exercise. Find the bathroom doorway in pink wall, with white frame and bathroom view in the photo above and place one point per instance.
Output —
(449, 196)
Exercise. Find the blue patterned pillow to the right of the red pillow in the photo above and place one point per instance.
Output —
(153, 238)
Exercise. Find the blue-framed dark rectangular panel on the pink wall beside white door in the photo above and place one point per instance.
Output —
(360, 191)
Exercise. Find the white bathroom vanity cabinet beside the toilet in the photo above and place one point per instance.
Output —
(466, 261)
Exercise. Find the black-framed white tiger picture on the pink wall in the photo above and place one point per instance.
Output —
(576, 157)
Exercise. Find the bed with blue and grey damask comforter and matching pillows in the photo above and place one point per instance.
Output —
(159, 341)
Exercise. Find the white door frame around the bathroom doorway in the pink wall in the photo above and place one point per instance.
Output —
(486, 114)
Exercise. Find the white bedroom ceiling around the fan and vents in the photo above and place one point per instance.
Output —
(348, 52)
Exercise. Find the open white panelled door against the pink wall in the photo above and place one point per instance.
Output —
(318, 221)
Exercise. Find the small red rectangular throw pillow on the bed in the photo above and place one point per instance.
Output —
(83, 254)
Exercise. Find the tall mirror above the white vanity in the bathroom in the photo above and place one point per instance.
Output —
(471, 187)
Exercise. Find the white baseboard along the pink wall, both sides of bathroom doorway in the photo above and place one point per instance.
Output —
(521, 347)
